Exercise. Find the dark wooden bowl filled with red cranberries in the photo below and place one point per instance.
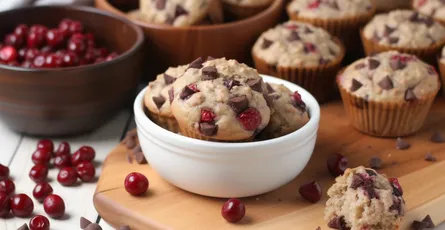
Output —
(75, 100)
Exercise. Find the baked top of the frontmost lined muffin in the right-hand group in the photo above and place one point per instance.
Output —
(390, 76)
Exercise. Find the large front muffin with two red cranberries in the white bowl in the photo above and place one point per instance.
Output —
(220, 100)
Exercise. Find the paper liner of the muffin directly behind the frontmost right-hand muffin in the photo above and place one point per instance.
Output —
(427, 54)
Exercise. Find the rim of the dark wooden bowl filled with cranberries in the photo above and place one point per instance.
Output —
(137, 45)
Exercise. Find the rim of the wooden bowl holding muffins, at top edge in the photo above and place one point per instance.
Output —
(239, 23)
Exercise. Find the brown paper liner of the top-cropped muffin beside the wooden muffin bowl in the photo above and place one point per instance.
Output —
(344, 28)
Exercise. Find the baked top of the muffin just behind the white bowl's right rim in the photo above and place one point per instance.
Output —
(296, 44)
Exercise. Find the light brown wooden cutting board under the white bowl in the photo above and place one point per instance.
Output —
(167, 207)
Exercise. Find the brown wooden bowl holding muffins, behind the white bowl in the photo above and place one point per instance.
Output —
(171, 46)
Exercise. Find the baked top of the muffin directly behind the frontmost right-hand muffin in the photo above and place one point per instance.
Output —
(404, 28)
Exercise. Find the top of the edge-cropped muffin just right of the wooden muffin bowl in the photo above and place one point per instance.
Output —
(326, 9)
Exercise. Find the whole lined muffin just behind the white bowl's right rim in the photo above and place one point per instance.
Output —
(302, 53)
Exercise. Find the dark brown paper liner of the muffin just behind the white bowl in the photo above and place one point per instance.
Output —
(318, 80)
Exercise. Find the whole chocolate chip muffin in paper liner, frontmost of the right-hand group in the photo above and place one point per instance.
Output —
(388, 94)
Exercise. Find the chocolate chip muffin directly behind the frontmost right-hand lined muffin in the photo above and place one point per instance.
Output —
(406, 31)
